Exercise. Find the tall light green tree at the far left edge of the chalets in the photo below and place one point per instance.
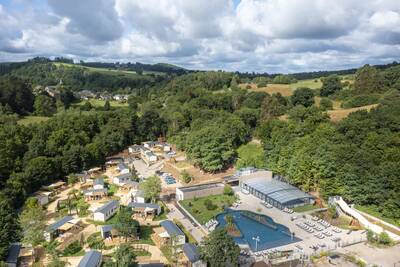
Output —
(32, 223)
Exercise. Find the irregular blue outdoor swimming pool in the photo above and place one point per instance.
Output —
(251, 225)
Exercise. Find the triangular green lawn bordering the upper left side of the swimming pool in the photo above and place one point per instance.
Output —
(198, 209)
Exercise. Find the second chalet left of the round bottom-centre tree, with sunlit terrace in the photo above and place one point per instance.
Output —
(169, 233)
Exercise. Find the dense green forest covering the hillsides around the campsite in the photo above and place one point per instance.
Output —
(209, 116)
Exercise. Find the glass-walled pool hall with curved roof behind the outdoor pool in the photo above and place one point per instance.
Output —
(277, 193)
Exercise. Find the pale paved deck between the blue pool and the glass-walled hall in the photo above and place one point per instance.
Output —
(251, 203)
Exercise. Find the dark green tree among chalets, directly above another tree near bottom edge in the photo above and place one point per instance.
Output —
(125, 225)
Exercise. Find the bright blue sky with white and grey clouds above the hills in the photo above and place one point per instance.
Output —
(235, 35)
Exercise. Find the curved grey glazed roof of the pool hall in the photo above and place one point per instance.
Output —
(277, 190)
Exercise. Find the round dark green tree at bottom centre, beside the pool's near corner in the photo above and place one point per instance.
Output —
(219, 249)
